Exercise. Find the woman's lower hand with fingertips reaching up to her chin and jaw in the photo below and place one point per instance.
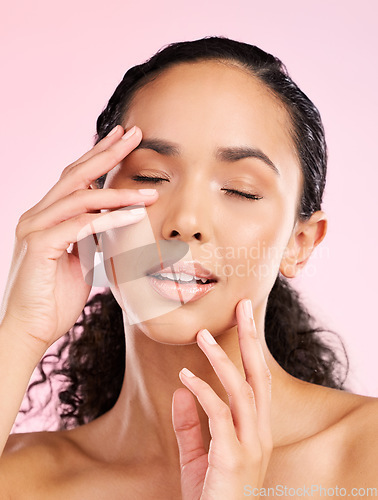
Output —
(241, 438)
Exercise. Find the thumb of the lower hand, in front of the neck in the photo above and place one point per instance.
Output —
(187, 427)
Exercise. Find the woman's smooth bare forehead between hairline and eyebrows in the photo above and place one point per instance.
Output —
(210, 104)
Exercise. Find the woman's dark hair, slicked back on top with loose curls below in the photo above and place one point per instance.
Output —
(91, 355)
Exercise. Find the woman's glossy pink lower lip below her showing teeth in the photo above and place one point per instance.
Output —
(178, 291)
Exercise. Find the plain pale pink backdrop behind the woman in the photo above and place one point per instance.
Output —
(61, 62)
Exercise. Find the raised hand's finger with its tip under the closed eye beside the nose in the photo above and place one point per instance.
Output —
(79, 202)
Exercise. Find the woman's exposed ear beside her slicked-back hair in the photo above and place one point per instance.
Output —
(305, 237)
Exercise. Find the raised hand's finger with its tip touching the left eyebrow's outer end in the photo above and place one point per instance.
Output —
(84, 173)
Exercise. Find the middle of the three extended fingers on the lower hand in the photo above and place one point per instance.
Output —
(240, 393)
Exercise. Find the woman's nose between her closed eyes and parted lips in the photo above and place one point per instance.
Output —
(188, 215)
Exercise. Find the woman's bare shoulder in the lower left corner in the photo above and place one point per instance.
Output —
(54, 465)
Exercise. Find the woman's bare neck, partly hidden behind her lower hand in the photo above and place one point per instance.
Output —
(143, 412)
